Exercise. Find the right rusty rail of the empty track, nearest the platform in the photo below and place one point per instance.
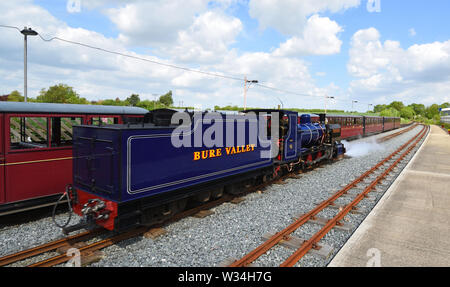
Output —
(308, 245)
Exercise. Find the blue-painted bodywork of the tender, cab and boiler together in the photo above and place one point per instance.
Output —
(123, 163)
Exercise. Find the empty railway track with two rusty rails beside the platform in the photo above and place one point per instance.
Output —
(378, 175)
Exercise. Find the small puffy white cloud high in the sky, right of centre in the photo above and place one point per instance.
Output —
(319, 38)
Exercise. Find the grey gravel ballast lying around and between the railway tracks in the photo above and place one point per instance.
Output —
(234, 229)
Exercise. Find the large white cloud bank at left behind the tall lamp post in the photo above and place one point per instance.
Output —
(206, 39)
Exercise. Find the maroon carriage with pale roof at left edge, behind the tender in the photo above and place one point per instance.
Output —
(36, 148)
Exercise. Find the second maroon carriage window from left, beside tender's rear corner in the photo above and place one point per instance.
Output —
(62, 130)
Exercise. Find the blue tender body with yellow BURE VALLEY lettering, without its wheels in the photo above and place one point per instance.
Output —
(123, 163)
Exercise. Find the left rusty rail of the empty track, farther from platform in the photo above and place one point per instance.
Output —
(284, 234)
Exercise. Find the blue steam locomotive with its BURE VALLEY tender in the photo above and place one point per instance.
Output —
(139, 174)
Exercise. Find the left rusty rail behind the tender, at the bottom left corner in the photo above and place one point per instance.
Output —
(9, 259)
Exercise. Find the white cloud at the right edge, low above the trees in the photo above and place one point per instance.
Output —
(387, 69)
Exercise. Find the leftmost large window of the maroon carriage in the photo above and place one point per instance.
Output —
(28, 132)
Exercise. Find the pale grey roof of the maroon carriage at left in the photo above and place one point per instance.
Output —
(21, 107)
